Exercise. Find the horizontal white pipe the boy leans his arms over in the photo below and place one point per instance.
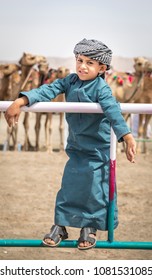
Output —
(78, 107)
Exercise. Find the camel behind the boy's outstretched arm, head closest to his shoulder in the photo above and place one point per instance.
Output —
(59, 74)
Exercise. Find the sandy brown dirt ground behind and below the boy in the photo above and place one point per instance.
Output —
(29, 182)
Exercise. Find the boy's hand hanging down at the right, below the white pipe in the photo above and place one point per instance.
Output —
(130, 147)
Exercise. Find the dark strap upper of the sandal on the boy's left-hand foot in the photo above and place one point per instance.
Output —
(57, 233)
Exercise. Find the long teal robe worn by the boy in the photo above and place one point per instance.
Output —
(83, 199)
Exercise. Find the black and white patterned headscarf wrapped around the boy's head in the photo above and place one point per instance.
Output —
(95, 50)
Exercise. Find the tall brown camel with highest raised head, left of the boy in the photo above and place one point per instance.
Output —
(24, 81)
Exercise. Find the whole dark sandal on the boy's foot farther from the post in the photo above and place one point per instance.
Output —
(57, 234)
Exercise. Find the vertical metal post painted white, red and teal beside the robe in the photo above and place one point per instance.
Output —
(112, 183)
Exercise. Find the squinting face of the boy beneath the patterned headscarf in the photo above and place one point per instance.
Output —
(87, 68)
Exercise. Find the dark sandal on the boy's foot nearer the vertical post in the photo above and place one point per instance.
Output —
(84, 236)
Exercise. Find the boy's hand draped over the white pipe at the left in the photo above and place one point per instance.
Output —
(13, 111)
